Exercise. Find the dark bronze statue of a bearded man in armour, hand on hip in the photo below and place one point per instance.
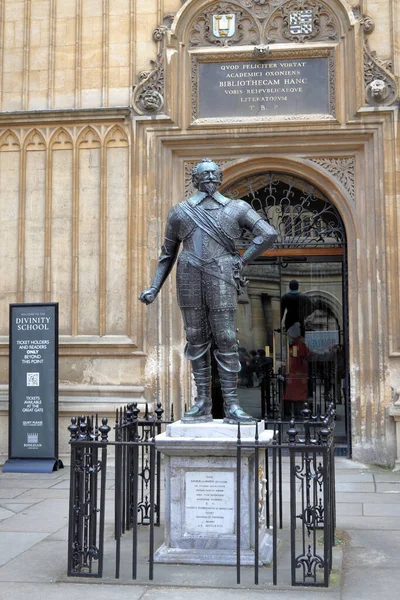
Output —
(209, 278)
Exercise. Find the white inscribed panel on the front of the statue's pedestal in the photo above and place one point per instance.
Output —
(209, 502)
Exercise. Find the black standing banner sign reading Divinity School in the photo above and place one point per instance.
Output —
(33, 388)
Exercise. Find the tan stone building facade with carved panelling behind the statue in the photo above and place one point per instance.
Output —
(101, 119)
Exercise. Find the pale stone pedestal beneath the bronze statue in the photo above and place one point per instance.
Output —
(200, 494)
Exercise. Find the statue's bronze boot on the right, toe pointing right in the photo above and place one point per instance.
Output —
(228, 368)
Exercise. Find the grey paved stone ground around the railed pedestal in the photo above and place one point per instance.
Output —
(33, 547)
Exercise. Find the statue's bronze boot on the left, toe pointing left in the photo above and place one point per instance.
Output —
(201, 410)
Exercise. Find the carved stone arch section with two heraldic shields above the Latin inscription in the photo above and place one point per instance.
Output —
(264, 21)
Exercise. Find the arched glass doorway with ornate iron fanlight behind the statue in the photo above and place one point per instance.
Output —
(284, 366)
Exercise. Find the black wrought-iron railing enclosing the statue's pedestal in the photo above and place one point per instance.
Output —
(305, 448)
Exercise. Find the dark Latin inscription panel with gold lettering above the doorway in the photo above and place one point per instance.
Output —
(263, 88)
